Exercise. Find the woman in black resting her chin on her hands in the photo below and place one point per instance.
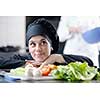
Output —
(43, 43)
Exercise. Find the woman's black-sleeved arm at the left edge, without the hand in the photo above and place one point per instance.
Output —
(11, 62)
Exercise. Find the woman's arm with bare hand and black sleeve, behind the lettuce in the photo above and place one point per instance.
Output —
(65, 59)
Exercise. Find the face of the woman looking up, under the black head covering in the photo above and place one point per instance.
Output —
(39, 48)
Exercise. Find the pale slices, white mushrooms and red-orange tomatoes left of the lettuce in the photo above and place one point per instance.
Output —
(30, 71)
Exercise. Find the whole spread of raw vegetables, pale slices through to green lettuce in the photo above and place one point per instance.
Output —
(74, 71)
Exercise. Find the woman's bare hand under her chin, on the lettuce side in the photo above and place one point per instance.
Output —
(52, 59)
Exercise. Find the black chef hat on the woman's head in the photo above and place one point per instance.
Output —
(45, 28)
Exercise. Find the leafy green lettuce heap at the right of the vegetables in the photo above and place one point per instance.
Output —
(75, 71)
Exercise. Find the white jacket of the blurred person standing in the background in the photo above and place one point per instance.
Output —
(75, 43)
